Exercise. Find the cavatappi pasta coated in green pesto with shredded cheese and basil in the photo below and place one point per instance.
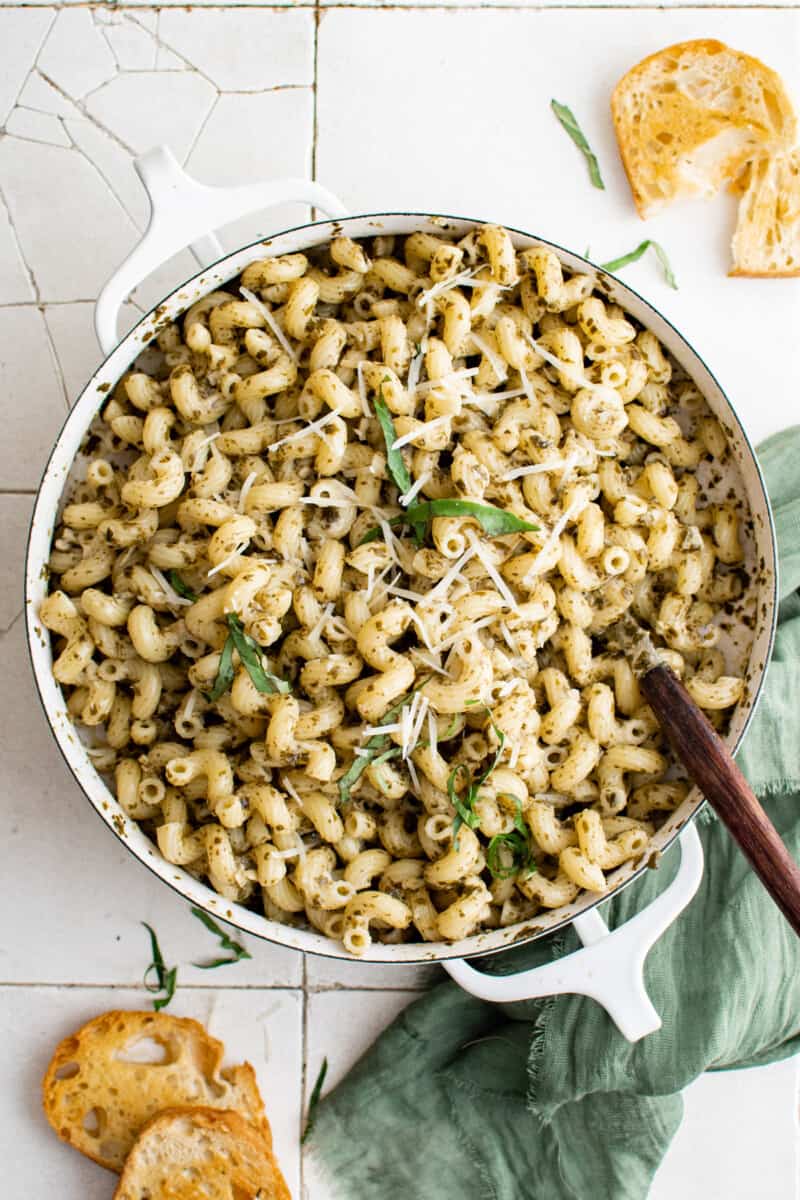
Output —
(335, 593)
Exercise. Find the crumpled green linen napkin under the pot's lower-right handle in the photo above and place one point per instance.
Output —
(546, 1100)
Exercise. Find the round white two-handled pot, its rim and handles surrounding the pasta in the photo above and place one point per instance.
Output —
(610, 968)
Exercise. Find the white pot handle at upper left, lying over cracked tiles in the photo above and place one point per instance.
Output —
(187, 213)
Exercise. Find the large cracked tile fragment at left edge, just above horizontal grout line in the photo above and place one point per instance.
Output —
(71, 247)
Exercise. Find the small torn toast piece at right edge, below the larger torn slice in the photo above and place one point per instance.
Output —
(767, 241)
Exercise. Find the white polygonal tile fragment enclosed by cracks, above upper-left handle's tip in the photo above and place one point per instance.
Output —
(151, 107)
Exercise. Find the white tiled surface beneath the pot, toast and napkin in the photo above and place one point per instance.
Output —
(384, 105)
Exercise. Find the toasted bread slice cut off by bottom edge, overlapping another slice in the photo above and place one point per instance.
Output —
(185, 1154)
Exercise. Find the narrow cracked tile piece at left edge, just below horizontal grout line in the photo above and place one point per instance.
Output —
(34, 400)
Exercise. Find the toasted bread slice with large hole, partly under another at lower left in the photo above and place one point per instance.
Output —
(107, 1081)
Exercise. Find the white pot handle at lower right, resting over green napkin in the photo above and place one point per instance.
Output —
(610, 968)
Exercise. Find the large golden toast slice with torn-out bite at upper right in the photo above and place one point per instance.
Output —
(689, 118)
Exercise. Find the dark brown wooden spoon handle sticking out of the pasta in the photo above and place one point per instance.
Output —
(711, 765)
